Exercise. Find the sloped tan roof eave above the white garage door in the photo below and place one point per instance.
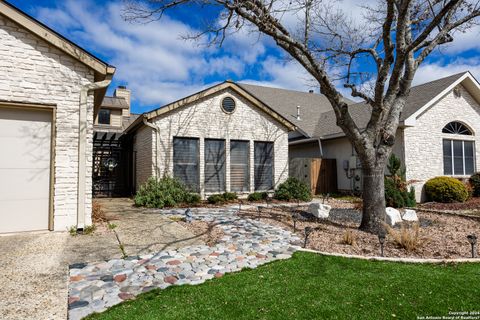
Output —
(100, 67)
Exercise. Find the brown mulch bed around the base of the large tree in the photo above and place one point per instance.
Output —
(441, 236)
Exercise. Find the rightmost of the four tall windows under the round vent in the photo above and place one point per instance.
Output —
(263, 156)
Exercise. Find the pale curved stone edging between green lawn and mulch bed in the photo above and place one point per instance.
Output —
(403, 260)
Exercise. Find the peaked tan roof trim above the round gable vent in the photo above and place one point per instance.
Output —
(218, 88)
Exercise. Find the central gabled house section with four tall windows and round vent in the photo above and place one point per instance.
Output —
(220, 139)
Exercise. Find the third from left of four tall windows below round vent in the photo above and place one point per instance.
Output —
(239, 168)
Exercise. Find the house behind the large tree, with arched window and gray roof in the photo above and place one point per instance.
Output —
(438, 133)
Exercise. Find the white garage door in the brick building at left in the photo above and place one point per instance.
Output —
(25, 143)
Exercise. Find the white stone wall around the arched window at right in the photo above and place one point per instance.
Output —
(423, 142)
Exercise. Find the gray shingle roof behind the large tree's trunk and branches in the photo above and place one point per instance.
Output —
(317, 116)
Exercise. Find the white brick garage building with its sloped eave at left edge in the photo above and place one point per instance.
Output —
(45, 167)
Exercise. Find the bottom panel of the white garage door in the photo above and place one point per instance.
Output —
(30, 216)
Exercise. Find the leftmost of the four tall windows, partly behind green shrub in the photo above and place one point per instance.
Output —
(186, 162)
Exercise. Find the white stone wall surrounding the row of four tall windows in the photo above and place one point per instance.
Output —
(206, 119)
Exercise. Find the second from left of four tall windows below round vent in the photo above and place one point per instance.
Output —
(214, 165)
